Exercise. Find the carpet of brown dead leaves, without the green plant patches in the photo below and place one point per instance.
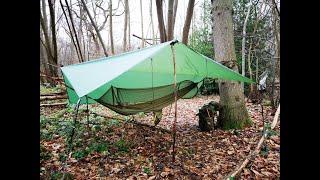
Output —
(201, 154)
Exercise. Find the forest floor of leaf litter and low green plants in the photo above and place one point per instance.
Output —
(108, 148)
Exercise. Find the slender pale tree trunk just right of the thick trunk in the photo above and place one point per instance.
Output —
(243, 57)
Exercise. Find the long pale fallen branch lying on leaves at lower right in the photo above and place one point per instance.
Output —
(257, 149)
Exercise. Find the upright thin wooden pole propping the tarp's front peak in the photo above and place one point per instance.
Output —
(175, 103)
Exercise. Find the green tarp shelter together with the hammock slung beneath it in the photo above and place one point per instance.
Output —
(142, 80)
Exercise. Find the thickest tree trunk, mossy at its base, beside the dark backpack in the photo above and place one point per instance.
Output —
(234, 114)
